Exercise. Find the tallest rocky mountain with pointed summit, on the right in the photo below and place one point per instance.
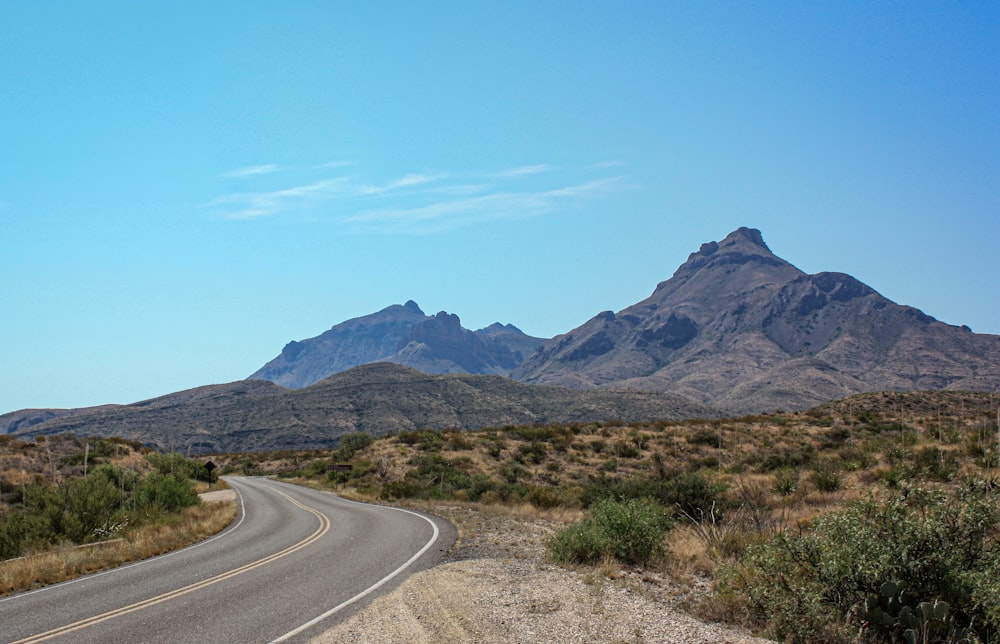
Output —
(739, 328)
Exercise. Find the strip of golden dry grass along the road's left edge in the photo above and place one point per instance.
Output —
(61, 564)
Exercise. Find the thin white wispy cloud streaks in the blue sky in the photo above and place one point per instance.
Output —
(421, 203)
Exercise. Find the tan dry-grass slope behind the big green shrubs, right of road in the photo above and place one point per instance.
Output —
(780, 470)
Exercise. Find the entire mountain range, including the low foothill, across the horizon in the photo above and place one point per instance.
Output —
(735, 329)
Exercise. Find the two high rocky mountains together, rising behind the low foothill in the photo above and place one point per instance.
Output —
(736, 327)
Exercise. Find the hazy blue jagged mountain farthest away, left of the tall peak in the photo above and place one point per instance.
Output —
(404, 335)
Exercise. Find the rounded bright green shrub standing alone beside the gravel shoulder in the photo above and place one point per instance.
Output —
(630, 531)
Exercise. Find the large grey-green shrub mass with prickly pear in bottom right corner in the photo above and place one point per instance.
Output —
(931, 546)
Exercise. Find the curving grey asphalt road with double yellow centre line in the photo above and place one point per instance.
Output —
(294, 562)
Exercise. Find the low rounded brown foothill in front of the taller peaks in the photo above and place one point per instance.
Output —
(379, 398)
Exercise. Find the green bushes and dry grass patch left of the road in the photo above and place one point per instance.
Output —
(121, 501)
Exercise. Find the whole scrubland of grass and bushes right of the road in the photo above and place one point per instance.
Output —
(741, 494)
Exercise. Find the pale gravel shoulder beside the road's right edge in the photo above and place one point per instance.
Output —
(497, 587)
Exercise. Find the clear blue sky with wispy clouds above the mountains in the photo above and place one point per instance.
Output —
(185, 187)
